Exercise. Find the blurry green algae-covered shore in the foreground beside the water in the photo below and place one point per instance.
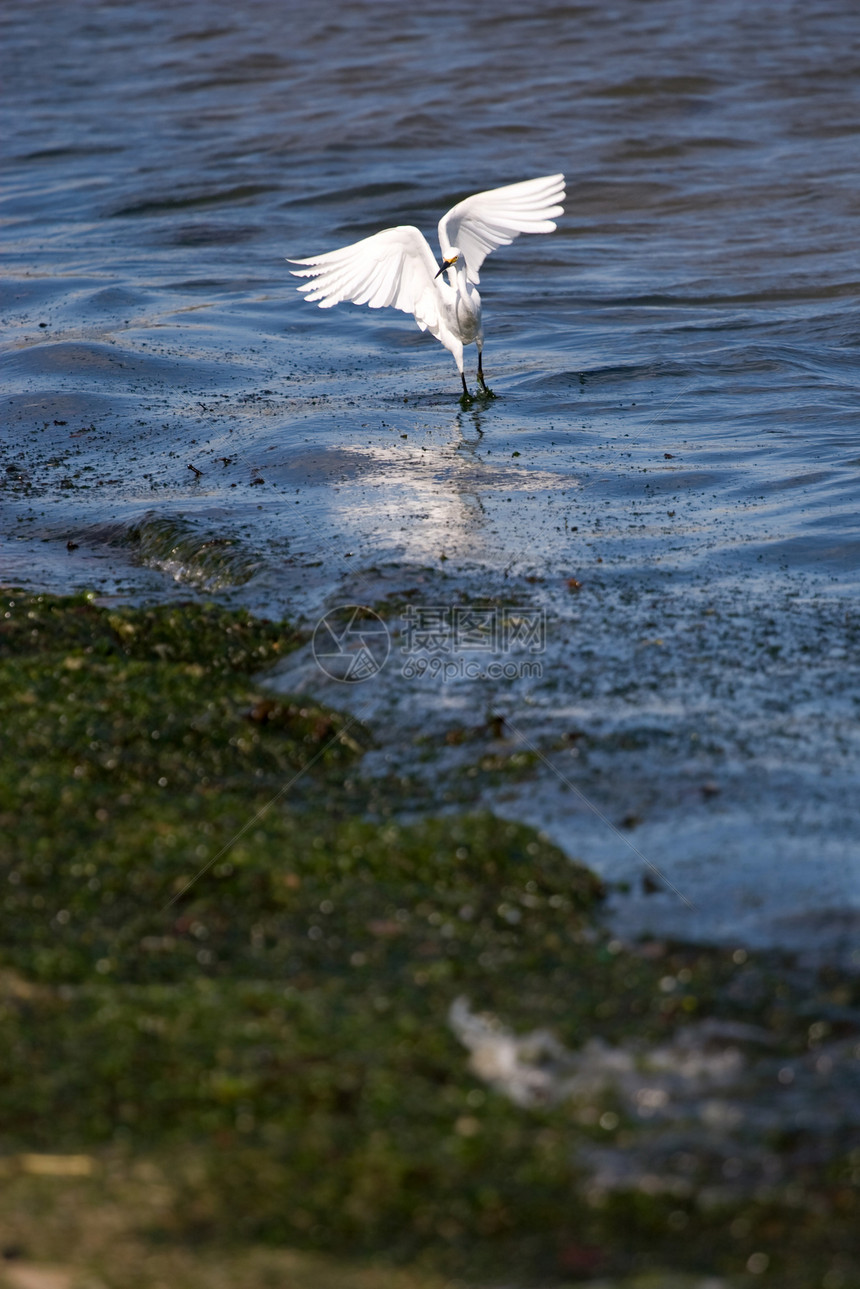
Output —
(228, 976)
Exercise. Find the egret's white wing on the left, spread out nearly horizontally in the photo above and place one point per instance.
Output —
(395, 267)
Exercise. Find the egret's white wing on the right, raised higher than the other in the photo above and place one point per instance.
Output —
(494, 218)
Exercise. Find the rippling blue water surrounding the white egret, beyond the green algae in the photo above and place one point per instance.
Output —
(676, 423)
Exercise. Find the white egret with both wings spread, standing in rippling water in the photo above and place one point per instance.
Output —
(396, 267)
